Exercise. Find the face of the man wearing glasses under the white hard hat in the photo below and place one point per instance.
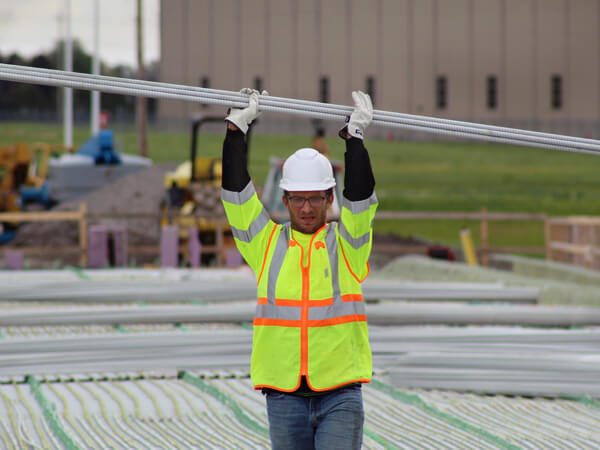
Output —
(308, 210)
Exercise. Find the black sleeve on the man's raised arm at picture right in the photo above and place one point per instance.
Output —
(359, 181)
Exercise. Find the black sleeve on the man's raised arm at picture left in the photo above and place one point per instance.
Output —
(235, 168)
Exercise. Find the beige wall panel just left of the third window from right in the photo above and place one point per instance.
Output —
(422, 77)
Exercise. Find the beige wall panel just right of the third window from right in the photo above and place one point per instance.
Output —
(453, 54)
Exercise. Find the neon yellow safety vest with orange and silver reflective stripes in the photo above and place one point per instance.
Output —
(310, 316)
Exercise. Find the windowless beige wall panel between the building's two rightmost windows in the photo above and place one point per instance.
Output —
(520, 84)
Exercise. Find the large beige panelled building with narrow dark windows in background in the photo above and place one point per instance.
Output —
(526, 63)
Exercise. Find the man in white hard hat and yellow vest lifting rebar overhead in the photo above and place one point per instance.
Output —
(310, 347)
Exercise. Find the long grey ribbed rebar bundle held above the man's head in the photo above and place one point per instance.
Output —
(306, 108)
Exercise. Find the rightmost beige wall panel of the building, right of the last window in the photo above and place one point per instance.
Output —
(583, 75)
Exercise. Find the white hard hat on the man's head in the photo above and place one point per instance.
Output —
(307, 170)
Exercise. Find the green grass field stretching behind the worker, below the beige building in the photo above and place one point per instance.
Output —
(412, 176)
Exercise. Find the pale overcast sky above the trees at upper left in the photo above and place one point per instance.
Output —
(33, 26)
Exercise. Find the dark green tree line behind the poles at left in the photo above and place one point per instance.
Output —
(30, 101)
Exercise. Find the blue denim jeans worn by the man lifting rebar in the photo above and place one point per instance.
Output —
(331, 421)
